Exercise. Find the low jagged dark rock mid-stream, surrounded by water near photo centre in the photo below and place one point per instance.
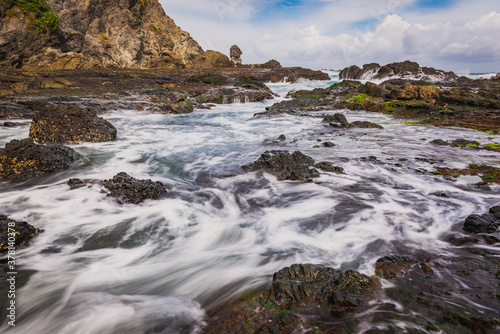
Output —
(285, 166)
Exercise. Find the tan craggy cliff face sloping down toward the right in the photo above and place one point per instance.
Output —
(98, 33)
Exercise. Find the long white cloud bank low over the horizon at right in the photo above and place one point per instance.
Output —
(394, 39)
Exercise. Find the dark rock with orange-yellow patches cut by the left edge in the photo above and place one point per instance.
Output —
(21, 160)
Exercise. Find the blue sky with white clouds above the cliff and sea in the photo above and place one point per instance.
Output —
(453, 35)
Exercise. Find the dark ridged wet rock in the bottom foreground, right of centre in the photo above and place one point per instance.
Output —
(301, 284)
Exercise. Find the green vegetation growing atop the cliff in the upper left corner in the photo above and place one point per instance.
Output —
(45, 19)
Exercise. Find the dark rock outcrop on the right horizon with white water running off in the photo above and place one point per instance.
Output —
(403, 70)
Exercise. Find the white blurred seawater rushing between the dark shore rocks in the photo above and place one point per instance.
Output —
(102, 267)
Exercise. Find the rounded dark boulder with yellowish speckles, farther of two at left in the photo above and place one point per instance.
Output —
(66, 124)
